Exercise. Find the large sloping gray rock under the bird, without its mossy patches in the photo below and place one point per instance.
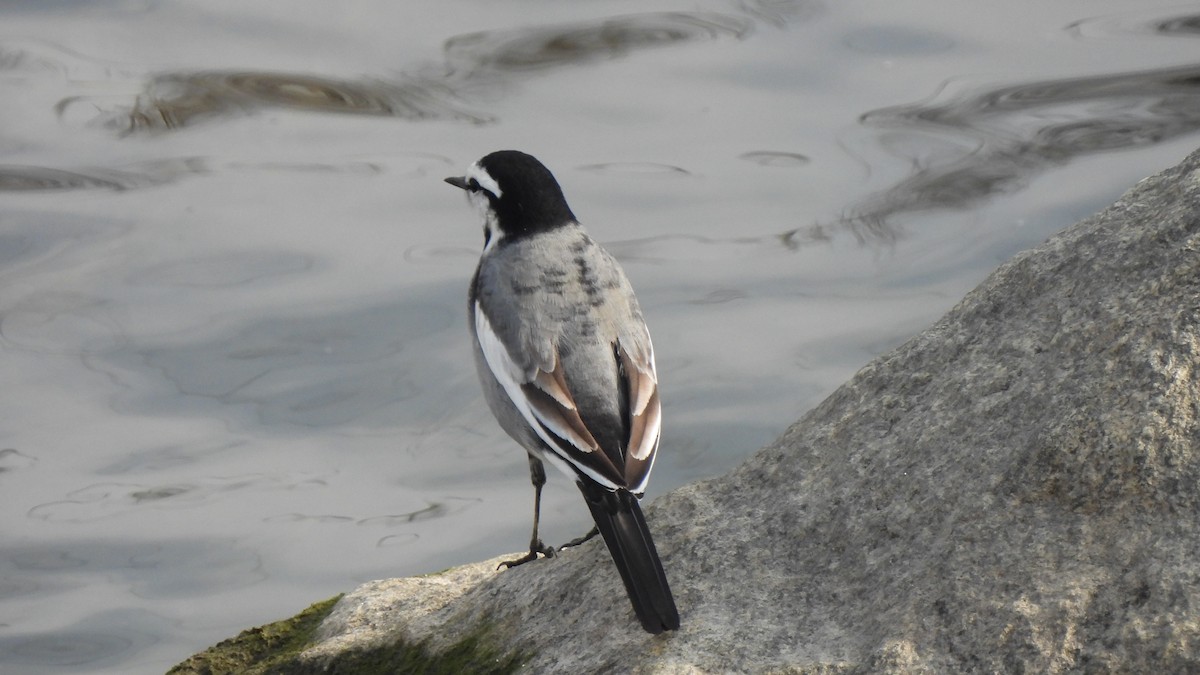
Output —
(1016, 489)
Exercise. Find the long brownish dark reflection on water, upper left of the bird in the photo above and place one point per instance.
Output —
(177, 100)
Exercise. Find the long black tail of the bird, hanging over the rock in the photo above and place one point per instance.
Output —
(621, 523)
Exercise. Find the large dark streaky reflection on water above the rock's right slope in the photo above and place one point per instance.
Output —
(994, 142)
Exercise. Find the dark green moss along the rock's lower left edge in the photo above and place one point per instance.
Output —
(274, 650)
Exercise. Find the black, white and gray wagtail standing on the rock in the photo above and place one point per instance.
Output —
(567, 365)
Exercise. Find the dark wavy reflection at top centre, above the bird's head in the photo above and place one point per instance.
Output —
(549, 46)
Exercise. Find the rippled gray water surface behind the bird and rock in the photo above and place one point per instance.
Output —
(232, 284)
